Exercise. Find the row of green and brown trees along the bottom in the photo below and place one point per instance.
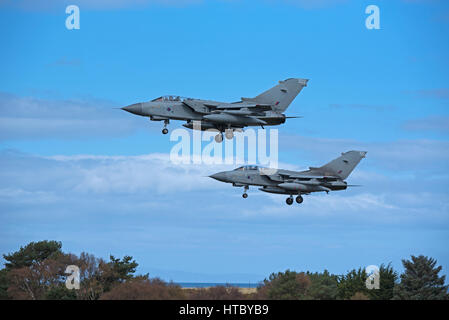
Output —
(37, 272)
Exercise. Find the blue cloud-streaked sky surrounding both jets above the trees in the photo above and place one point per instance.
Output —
(98, 179)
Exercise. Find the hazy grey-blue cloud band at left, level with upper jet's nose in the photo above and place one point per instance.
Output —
(31, 118)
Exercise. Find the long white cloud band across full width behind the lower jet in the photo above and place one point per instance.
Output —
(152, 177)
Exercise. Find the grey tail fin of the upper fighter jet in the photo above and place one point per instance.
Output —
(282, 95)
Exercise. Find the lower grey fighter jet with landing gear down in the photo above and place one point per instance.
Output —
(330, 177)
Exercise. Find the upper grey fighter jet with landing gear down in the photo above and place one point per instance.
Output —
(266, 109)
